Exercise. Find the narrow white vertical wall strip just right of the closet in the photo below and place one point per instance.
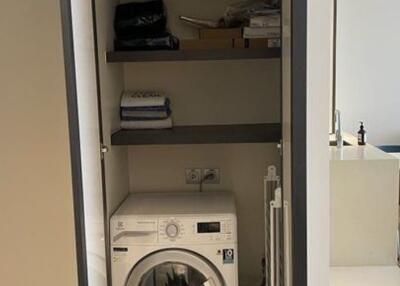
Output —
(319, 83)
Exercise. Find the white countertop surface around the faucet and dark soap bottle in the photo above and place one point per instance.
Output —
(356, 152)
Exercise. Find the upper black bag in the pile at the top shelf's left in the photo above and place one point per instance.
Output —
(140, 20)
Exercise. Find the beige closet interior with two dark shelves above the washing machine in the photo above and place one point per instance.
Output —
(238, 98)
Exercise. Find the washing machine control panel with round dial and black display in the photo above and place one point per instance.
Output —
(184, 229)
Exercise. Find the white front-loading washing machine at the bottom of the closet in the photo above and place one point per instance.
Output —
(175, 239)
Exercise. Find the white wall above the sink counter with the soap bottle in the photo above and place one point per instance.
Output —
(368, 60)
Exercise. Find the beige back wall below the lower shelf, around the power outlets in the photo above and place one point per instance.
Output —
(242, 166)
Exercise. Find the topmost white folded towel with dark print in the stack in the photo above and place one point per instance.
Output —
(142, 99)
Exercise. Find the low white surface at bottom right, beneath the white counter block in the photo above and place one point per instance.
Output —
(365, 276)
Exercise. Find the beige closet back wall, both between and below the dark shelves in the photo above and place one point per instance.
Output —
(246, 92)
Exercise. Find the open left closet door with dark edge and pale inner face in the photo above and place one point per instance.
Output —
(79, 49)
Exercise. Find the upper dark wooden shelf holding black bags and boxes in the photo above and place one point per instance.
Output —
(198, 55)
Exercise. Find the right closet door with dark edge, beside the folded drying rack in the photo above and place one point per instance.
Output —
(294, 132)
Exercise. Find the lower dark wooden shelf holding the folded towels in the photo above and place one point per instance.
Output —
(210, 134)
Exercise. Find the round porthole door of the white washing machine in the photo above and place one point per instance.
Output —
(174, 268)
